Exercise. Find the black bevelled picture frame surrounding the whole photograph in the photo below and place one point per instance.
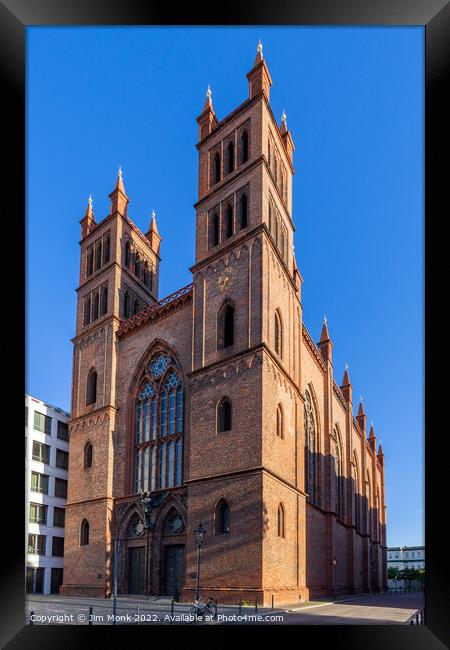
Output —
(434, 15)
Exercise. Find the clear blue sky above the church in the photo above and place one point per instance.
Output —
(99, 97)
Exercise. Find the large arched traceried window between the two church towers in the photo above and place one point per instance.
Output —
(159, 426)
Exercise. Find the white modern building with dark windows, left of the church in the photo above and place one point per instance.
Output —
(46, 464)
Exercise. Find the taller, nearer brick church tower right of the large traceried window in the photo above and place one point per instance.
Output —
(246, 416)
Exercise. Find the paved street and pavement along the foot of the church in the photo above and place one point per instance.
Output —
(367, 609)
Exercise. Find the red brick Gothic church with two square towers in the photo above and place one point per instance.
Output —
(216, 399)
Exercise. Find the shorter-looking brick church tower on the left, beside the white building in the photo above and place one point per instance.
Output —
(119, 269)
